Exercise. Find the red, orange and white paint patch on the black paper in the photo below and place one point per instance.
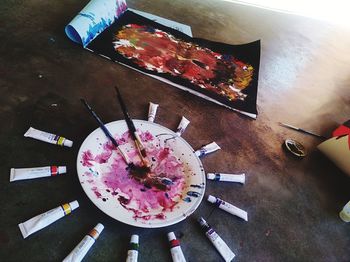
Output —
(159, 51)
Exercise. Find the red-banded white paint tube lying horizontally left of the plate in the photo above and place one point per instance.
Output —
(36, 172)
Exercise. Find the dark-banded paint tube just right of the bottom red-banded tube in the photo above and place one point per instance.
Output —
(217, 241)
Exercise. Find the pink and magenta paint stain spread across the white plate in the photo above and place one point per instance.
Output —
(111, 180)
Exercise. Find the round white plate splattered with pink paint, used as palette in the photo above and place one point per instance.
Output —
(108, 183)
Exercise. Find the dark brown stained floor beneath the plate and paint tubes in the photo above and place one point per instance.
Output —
(293, 204)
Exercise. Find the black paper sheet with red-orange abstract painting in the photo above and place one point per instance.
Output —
(221, 73)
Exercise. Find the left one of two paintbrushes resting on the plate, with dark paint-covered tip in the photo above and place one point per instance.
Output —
(138, 171)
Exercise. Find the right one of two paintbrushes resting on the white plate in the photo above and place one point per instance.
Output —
(132, 130)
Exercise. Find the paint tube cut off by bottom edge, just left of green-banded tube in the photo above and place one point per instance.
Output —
(79, 252)
